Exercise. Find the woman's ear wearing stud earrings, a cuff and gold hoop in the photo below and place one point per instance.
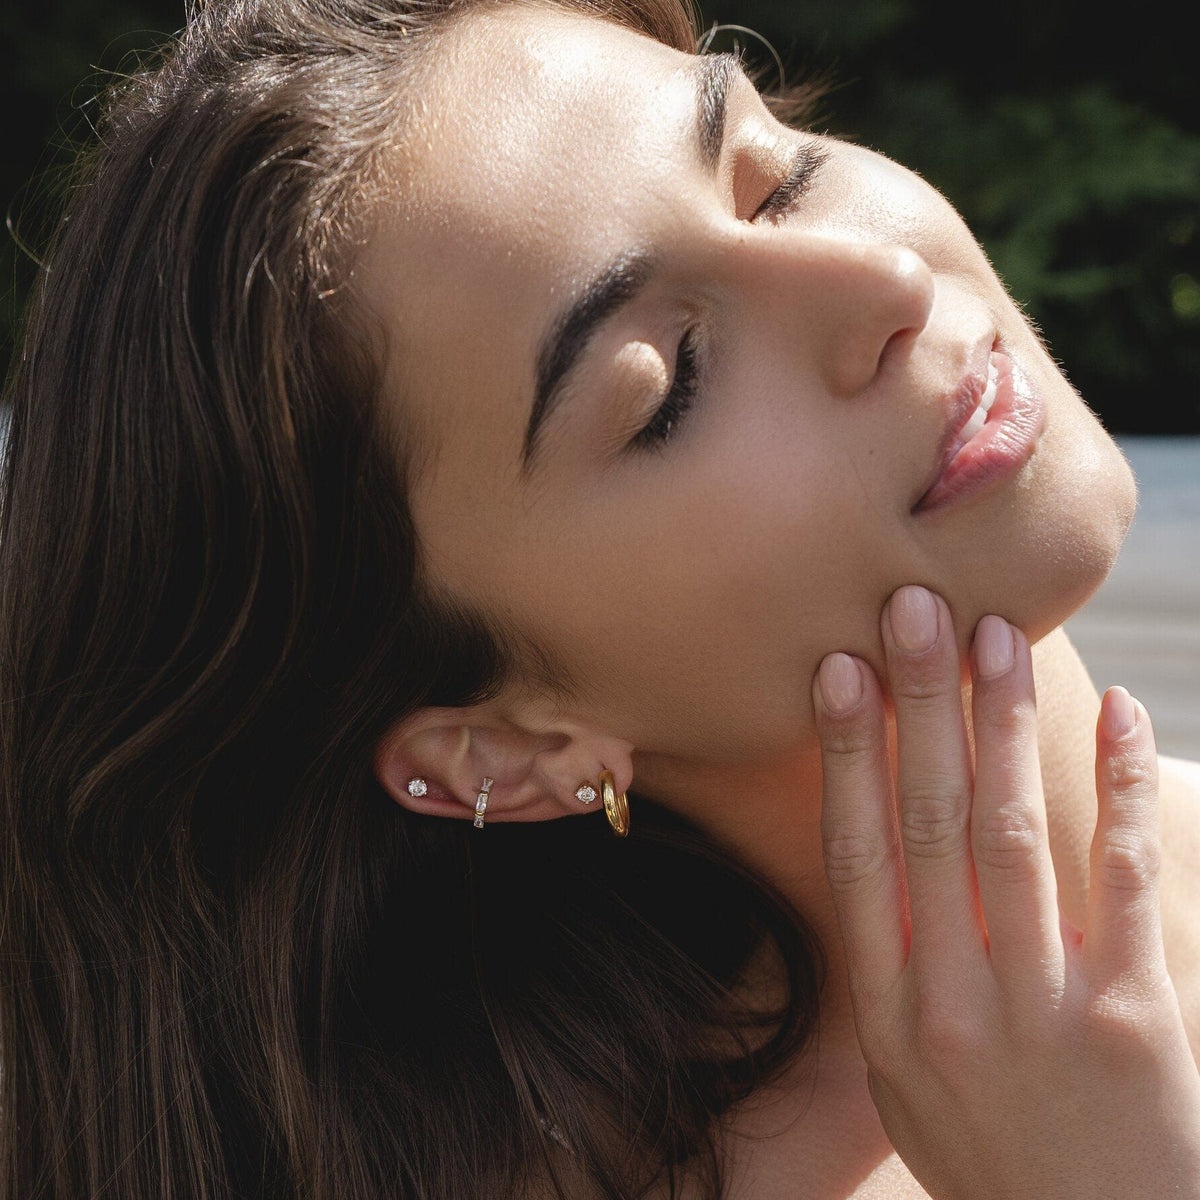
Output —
(536, 758)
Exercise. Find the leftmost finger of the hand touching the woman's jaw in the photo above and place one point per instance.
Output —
(859, 826)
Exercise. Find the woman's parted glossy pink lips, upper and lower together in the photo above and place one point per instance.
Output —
(998, 451)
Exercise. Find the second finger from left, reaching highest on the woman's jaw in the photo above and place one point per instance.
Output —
(934, 777)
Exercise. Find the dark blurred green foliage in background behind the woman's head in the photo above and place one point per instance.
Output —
(1067, 139)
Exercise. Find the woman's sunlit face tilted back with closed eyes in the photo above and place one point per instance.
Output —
(686, 385)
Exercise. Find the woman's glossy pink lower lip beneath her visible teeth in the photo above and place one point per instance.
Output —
(1000, 449)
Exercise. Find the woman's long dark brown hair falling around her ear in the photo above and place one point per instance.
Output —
(230, 965)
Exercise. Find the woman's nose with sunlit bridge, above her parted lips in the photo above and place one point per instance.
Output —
(856, 301)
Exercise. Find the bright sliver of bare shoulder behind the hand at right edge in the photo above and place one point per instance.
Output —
(1180, 884)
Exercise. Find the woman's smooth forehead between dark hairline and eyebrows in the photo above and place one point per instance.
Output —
(529, 163)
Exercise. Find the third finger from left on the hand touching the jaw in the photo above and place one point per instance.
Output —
(1010, 842)
